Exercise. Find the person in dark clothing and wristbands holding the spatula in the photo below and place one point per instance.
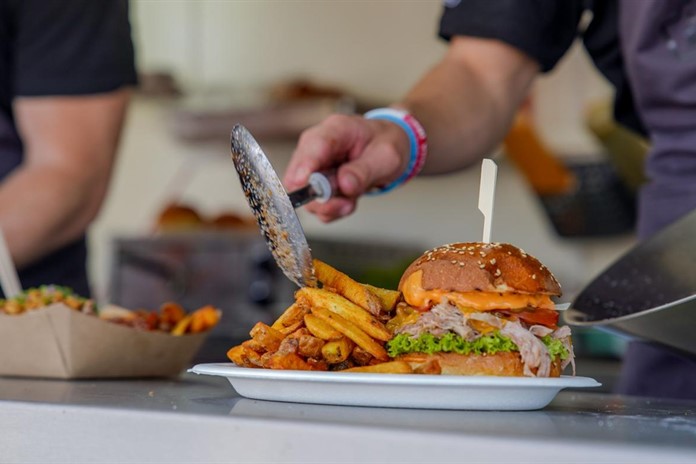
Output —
(463, 107)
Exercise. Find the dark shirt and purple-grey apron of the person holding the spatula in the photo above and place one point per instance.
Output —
(631, 43)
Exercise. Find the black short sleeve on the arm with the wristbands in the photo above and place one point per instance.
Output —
(543, 29)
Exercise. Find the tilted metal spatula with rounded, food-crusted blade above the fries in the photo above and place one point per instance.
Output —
(274, 208)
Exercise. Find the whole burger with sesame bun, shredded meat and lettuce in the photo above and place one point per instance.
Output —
(480, 309)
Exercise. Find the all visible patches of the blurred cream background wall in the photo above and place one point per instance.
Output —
(375, 49)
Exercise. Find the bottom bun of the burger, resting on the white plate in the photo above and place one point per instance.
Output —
(503, 364)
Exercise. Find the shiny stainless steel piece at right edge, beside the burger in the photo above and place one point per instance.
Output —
(648, 293)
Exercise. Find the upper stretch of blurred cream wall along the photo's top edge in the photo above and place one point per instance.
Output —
(373, 48)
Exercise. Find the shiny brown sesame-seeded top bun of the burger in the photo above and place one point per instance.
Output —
(482, 267)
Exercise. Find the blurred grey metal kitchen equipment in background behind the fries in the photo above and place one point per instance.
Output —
(231, 270)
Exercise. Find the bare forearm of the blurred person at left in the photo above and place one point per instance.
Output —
(69, 149)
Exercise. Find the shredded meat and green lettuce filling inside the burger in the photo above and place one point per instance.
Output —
(446, 328)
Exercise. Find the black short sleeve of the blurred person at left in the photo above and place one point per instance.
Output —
(71, 47)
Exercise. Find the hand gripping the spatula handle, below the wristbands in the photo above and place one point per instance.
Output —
(366, 153)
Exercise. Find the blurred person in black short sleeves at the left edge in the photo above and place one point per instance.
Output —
(65, 69)
